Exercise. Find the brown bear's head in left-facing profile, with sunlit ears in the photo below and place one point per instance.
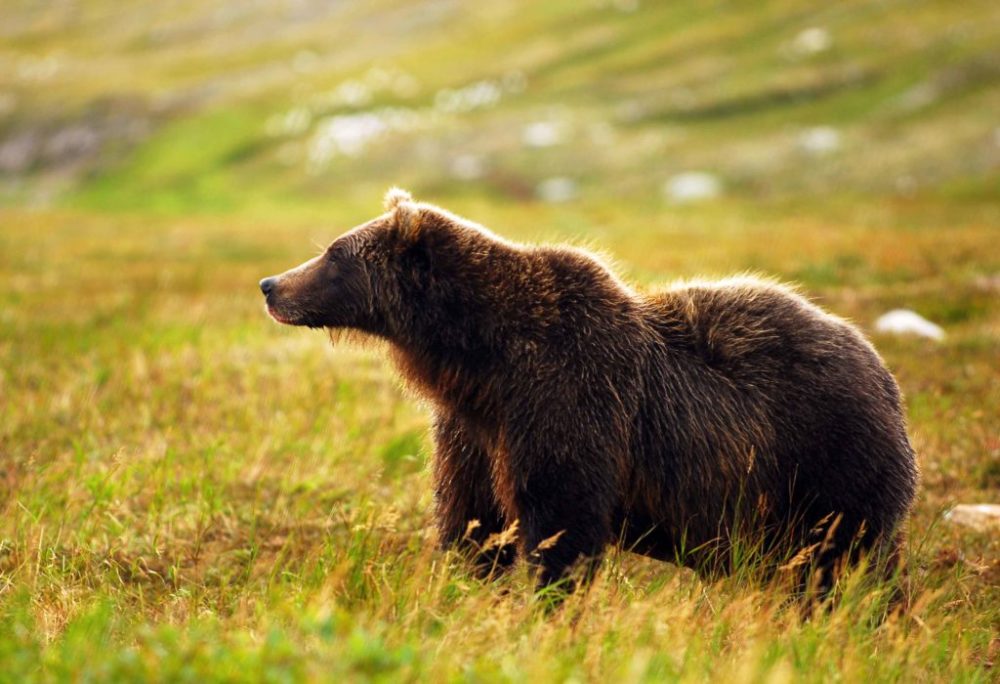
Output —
(377, 276)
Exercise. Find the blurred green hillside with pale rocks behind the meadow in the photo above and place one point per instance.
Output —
(253, 105)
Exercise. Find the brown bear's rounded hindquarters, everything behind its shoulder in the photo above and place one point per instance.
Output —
(756, 388)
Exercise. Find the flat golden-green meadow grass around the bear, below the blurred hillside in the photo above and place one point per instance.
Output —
(191, 491)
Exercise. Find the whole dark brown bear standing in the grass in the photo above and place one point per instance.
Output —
(676, 423)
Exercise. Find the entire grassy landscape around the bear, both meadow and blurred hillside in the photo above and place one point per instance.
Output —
(190, 492)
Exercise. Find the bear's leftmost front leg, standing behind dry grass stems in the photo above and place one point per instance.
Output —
(467, 512)
